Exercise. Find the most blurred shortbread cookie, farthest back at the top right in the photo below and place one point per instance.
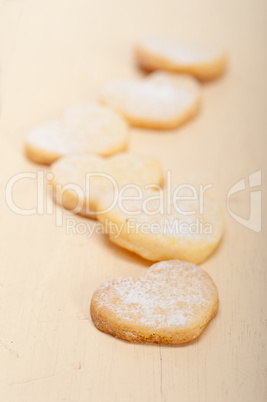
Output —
(204, 62)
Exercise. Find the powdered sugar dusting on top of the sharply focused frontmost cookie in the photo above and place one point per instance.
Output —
(171, 294)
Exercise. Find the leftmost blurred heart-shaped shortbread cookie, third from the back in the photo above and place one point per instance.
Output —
(89, 128)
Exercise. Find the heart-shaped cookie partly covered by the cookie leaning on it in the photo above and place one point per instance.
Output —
(80, 180)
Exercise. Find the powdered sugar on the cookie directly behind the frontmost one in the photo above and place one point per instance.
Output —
(183, 221)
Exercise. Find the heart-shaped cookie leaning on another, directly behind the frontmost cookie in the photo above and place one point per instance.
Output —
(159, 227)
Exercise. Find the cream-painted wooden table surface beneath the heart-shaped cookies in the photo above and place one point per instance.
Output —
(53, 54)
